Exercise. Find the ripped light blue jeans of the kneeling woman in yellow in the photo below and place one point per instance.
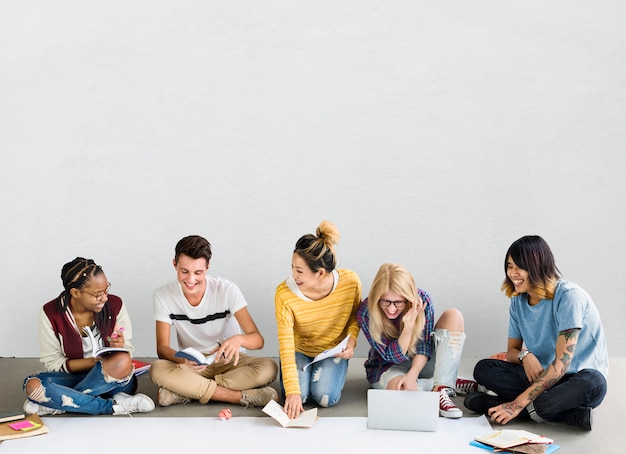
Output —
(323, 381)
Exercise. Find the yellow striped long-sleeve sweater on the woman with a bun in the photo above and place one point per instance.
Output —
(310, 327)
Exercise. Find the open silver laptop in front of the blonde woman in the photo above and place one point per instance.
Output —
(402, 410)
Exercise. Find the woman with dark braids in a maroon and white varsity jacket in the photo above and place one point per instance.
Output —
(72, 327)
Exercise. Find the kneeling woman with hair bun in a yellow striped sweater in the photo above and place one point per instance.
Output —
(315, 310)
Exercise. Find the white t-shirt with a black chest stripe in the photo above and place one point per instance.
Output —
(205, 325)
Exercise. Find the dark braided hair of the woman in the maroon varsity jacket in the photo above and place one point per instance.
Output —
(77, 274)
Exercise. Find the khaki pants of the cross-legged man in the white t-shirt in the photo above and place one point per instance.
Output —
(250, 372)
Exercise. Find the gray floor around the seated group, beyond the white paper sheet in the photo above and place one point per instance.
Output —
(603, 438)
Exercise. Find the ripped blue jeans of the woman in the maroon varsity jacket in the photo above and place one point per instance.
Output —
(87, 392)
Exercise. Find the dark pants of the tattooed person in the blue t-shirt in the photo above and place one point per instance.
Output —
(585, 388)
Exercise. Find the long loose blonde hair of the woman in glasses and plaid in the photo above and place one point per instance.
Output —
(396, 278)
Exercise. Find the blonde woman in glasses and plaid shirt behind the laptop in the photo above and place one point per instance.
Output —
(409, 350)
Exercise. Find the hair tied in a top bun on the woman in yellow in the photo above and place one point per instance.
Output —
(318, 251)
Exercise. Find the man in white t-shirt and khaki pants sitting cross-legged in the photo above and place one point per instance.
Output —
(210, 315)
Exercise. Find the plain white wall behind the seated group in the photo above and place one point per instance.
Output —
(433, 134)
